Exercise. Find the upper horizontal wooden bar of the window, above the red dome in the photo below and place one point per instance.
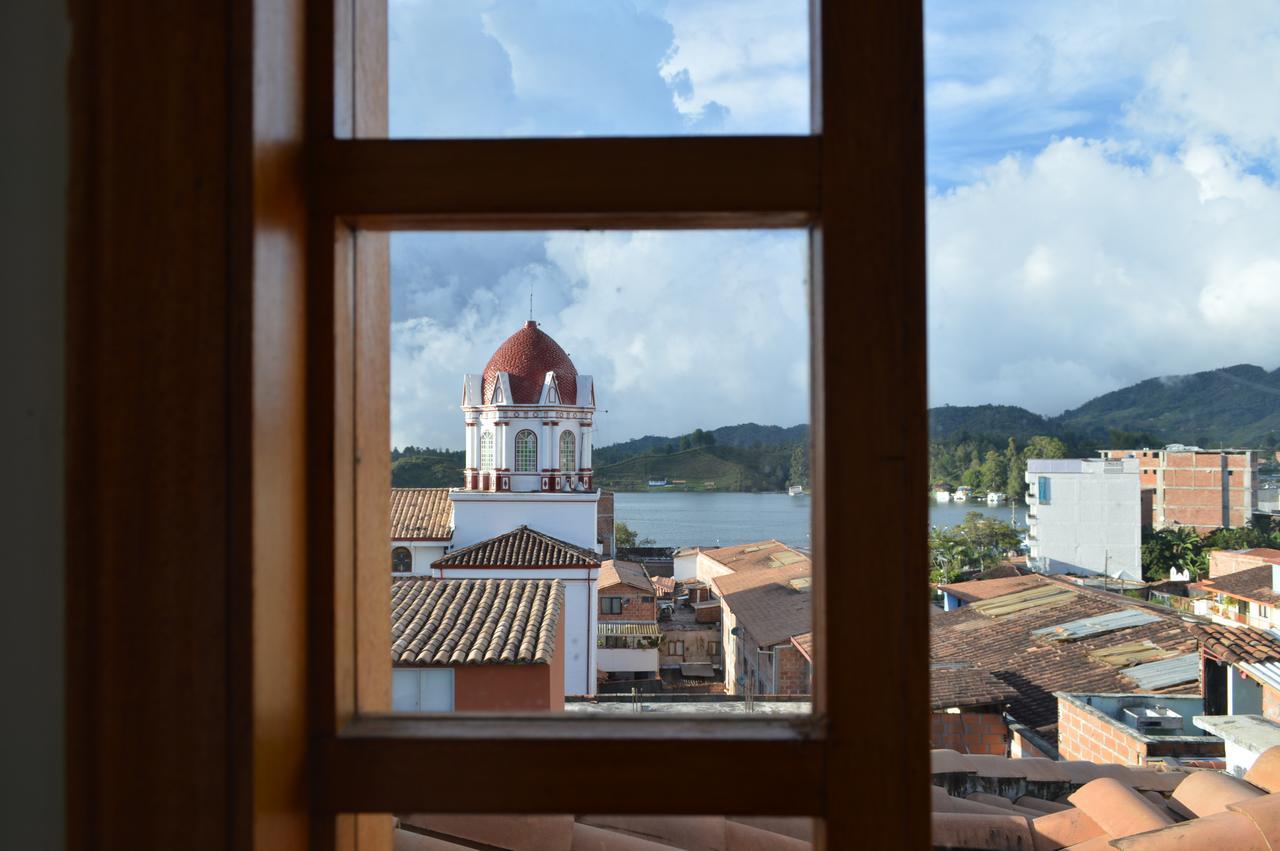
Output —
(615, 182)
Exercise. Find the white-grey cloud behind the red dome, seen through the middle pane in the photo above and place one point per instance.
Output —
(680, 330)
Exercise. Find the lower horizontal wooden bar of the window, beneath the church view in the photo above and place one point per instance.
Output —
(574, 765)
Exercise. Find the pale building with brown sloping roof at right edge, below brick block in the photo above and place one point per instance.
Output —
(1244, 587)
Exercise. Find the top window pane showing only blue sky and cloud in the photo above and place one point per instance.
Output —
(552, 68)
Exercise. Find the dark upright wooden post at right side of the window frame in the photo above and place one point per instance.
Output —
(871, 437)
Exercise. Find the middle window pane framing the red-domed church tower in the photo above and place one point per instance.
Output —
(600, 466)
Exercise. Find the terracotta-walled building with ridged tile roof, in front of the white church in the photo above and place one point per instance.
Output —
(478, 646)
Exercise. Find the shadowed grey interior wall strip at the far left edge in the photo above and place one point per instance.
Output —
(35, 43)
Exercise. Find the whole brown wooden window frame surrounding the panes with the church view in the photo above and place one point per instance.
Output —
(858, 185)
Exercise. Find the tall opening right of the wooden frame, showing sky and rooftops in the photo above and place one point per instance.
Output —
(1103, 263)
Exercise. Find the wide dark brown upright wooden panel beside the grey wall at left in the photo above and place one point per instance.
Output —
(148, 451)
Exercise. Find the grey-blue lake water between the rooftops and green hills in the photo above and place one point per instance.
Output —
(679, 519)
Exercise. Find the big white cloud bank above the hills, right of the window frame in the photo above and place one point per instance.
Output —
(1073, 273)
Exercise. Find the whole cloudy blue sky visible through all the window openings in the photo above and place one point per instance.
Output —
(1103, 207)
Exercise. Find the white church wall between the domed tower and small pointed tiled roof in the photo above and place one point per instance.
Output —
(481, 516)
